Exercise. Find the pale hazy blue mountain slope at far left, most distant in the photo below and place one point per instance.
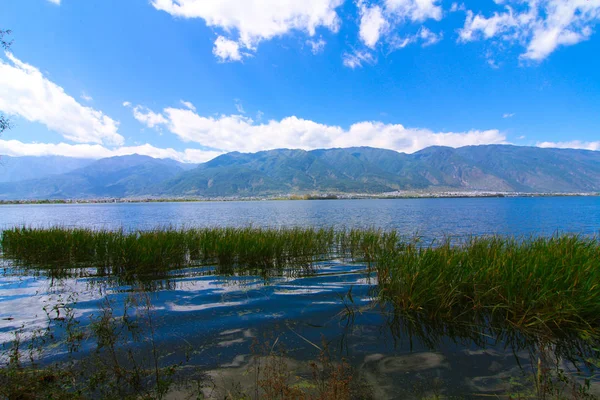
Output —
(14, 169)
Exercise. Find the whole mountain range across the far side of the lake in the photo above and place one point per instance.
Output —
(497, 168)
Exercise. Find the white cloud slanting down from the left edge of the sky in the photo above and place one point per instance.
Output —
(26, 92)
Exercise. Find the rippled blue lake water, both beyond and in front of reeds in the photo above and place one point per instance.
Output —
(221, 317)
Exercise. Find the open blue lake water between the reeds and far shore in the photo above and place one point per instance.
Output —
(427, 217)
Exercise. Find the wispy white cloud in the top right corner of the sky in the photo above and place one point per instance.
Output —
(541, 26)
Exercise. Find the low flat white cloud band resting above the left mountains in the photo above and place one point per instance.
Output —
(17, 149)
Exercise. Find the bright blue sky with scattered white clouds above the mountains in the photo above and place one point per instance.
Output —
(192, 79)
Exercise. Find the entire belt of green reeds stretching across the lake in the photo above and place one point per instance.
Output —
(536, 284)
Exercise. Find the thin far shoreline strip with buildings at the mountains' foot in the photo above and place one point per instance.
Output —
(353, 196)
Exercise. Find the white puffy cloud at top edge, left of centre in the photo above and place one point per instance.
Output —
(248, 22)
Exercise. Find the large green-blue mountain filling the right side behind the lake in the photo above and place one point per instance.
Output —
(368, 170)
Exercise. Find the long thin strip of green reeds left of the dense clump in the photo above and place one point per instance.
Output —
(230, 250)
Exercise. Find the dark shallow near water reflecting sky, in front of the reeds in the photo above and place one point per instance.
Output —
(214, 323)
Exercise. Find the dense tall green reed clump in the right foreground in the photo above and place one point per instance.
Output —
(543, 285)
